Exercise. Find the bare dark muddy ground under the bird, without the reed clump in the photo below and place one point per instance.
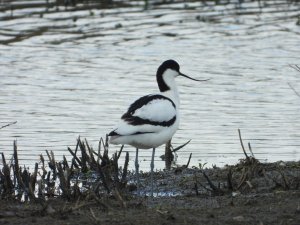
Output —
(246, 193)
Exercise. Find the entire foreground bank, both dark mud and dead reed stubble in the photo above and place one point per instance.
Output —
(94, 189)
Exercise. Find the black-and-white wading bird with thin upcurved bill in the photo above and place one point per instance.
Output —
(153, 119)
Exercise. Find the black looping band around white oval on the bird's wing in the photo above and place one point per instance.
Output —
(135, 120)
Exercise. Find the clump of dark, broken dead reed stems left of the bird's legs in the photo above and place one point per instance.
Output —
(62, 179)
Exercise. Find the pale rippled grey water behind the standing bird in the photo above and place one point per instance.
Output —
(71, 73)
